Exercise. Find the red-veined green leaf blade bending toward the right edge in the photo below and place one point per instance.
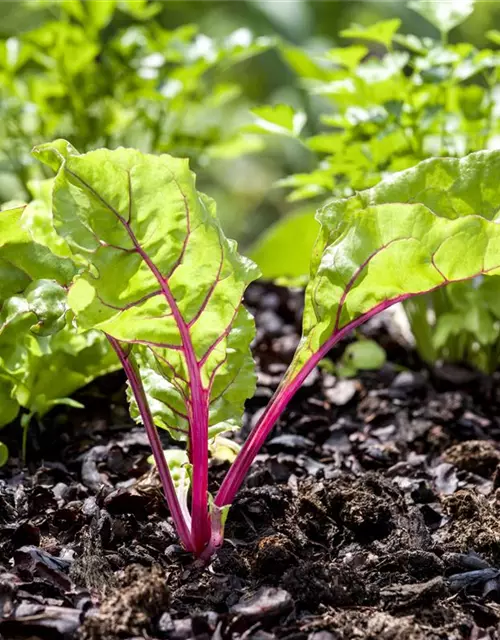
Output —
(412, 233)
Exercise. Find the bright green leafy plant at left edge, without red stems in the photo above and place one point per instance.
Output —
(43, 359)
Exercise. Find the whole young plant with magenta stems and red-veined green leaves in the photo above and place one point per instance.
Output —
(156, 275)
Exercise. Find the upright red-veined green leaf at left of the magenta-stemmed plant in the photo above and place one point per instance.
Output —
(161, 277)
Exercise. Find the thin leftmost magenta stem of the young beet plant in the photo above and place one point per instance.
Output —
(154, 440)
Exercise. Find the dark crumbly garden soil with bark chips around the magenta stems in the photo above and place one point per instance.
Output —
(373, 512)
